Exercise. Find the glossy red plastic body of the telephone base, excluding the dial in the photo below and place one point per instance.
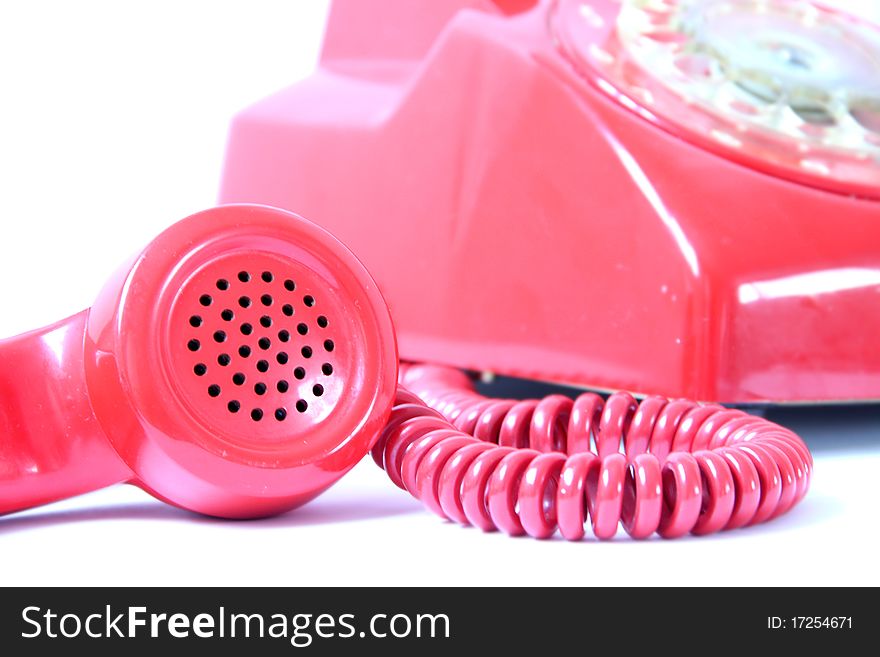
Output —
(528, 220)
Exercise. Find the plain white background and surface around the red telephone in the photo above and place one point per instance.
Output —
(113, 121)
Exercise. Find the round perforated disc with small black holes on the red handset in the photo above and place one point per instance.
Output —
(250, 336)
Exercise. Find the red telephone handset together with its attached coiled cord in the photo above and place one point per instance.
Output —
(245, 361)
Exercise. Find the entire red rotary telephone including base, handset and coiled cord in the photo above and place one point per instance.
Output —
(665, 196)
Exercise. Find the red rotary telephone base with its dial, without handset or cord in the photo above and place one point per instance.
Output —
(673, 197)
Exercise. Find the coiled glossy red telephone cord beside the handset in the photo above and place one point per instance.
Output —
(532, 467)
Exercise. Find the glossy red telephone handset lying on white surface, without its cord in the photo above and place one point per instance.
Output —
(237, 366)
